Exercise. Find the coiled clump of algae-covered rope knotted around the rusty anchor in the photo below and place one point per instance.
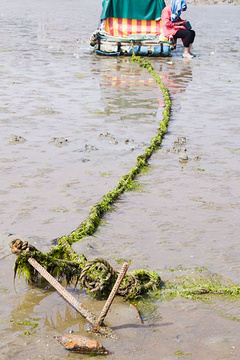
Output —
(96, 276)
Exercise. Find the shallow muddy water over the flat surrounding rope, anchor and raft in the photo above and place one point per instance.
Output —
(85, 119)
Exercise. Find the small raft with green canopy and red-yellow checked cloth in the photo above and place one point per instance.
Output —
(131, 26)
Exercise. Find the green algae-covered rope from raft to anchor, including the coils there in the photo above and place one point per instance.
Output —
(101, 276)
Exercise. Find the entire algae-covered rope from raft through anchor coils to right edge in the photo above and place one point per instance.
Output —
(97, 276)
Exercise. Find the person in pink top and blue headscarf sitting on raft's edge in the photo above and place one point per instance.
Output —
(174, 26)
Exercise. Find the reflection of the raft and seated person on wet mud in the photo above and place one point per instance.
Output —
(124, 86)
